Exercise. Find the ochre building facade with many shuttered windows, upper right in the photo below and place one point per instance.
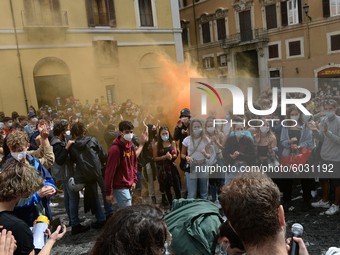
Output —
(267, 39)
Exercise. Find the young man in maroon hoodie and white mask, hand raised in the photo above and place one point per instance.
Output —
(121, 167)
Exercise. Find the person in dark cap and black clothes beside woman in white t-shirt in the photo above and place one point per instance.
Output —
(182, 131)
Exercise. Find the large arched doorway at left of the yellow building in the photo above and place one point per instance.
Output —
(52, 81)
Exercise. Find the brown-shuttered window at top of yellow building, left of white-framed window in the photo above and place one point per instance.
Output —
(100, 13)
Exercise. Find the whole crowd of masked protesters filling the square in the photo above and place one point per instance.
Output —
(74, 149)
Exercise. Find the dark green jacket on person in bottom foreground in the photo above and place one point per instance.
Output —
(194, 225)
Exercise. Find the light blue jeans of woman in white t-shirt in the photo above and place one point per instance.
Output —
(192, 185)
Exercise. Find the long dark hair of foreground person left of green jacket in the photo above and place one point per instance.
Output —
(138, 229)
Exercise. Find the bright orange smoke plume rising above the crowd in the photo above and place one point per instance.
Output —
(176, 80)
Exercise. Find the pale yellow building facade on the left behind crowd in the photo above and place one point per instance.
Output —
(54, 49)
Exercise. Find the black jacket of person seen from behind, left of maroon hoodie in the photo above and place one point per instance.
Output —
(89, 157)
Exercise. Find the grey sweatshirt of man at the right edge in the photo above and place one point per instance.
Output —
(330, 150)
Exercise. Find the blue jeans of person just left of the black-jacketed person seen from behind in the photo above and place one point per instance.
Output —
(71, 203)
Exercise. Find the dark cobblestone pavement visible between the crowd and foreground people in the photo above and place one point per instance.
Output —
(320, 231)
